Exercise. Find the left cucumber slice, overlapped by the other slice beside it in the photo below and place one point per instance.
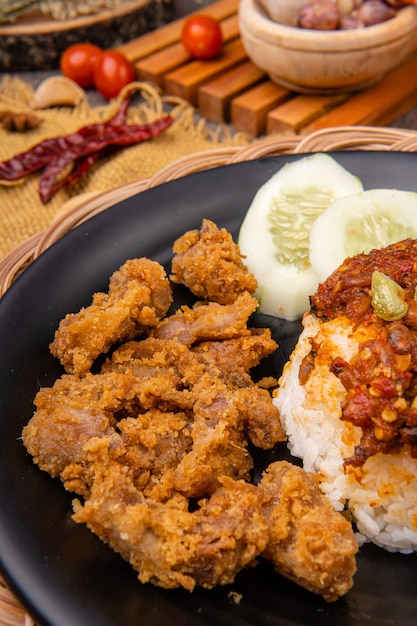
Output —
(274, 236)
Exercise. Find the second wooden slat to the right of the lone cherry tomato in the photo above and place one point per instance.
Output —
(214, 98)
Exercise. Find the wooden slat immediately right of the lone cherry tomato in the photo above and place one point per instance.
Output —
(185, 81)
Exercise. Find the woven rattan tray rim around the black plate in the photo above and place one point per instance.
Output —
(87, 205)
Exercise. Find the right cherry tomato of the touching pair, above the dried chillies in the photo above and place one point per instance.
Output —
(111, 72)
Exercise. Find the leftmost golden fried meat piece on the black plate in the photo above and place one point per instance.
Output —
(68, 416)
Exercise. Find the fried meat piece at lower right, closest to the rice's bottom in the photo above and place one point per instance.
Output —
(309, 542)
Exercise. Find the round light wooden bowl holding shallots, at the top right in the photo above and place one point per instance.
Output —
(326, 62)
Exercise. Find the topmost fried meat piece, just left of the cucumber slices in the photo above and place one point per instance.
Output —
(209, 263)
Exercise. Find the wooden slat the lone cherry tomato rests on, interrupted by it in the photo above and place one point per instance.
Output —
(154, 67)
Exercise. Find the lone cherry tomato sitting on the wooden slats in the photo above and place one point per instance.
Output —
(202, 36)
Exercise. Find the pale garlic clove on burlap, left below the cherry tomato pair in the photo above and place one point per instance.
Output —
(55, 91)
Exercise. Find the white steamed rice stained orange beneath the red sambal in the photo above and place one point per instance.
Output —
(382, 496)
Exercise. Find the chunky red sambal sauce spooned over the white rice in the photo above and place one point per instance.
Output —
(381, 380)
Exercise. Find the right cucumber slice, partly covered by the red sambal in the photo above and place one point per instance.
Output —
(359, 223)
